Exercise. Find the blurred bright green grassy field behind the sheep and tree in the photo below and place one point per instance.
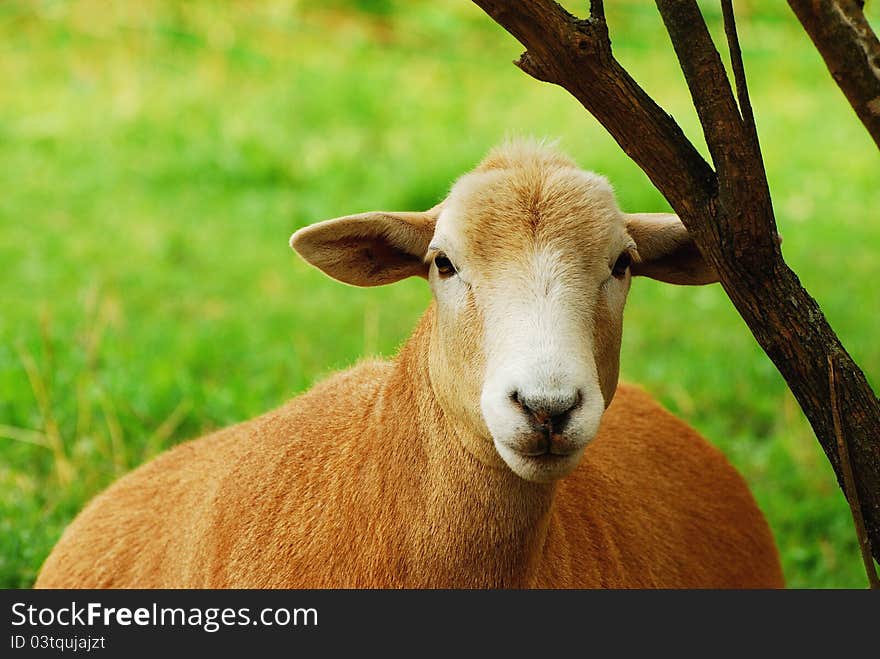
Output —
(155, 157)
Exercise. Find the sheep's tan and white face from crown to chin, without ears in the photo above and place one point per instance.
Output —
(530, 272)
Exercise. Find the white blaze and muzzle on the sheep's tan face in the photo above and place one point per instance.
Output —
(539, 357)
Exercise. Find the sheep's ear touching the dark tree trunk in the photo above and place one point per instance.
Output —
(666, 250)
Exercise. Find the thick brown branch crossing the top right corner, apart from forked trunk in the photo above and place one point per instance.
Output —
(851, 51)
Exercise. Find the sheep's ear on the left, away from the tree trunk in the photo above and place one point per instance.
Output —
(369, 249)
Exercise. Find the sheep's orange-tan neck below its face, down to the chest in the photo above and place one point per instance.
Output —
(479, 525)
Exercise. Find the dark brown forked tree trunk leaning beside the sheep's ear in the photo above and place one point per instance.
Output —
(729, 214)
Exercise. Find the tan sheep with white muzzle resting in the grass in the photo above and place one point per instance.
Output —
(496, 450)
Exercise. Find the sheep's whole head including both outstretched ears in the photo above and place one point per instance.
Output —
(530, 261)
